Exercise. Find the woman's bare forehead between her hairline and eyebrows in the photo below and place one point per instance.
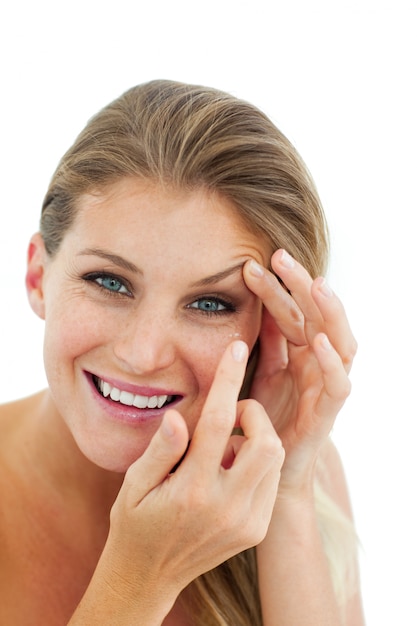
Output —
(193, 218)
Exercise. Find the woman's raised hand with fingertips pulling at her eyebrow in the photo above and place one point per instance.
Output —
(306, 352)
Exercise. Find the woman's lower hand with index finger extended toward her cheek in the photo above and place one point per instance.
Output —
(168, 528)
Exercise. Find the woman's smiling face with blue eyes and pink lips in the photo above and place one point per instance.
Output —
(140, 302)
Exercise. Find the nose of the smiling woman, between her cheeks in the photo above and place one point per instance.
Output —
(146, 344)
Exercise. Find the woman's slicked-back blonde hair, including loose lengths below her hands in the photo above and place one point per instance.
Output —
(188, 137)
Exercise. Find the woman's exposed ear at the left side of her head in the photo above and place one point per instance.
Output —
(36, 262)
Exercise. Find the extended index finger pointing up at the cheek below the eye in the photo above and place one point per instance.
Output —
(218, 416)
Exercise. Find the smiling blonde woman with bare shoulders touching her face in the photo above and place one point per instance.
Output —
(178, 470)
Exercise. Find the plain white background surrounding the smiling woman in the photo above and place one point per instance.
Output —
(339, 78)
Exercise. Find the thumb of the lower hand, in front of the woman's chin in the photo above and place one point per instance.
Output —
(165, 449)
